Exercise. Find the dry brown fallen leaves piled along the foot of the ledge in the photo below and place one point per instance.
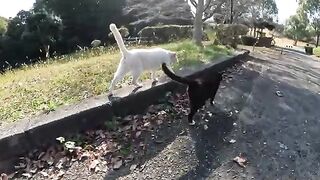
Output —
(106, 149)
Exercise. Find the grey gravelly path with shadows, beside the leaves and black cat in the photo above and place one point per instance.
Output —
(267, 110)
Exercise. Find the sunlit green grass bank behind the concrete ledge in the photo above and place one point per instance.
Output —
(44, 87)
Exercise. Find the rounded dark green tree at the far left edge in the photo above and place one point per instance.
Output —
(28, 37)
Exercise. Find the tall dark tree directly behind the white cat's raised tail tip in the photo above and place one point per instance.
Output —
(84, 20)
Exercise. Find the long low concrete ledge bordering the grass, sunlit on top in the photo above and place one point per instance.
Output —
(21, 137)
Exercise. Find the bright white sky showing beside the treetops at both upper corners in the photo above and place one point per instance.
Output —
(9, 8)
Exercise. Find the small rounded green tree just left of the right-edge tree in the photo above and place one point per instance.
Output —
(296, 26)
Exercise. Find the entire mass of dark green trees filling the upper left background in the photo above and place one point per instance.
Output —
(56, 27)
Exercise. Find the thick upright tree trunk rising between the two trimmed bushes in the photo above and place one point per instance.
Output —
(197, 25)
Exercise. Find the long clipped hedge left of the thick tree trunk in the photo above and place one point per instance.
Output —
(166, 33)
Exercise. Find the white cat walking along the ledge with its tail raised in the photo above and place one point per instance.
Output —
(135, 61)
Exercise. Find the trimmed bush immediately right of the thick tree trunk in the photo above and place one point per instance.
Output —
(228, 34)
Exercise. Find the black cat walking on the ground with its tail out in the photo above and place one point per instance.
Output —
(199, 90)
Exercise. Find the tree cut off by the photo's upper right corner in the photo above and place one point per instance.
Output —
(312, 7)
